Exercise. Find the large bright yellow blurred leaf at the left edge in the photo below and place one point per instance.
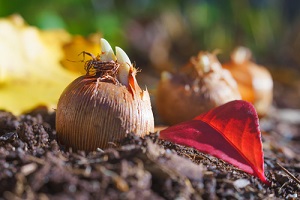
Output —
(30, 70)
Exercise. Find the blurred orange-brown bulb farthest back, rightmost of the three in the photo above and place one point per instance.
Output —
(254, 81)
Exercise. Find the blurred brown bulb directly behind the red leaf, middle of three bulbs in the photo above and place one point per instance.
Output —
(196, 88)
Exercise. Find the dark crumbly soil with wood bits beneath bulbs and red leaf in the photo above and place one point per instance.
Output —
(34, 166)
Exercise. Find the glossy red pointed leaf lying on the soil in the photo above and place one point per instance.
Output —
(229, 132)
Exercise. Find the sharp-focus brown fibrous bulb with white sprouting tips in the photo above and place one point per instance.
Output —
(98, 110)
